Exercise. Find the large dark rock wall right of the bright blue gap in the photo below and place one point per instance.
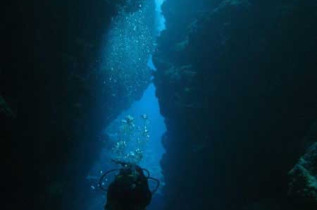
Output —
(236, 83)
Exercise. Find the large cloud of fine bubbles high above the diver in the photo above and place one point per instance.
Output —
(130, 42)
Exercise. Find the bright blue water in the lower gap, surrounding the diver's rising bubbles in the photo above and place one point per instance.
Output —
(152, 151)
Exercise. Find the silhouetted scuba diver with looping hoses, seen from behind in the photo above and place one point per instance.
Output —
(130, 188)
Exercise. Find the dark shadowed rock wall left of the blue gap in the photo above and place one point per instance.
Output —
(49, 76)
